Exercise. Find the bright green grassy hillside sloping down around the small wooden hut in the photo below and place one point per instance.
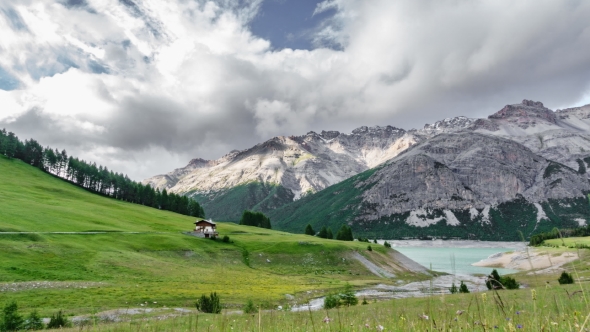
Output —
(88, 272)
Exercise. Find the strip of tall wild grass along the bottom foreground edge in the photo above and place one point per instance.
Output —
(539, 309)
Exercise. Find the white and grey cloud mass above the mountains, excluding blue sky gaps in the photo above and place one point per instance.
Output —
(402, 63)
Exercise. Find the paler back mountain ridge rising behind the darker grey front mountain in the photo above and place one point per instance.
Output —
(284, 169)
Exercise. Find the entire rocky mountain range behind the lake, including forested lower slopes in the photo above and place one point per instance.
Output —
(522, 168)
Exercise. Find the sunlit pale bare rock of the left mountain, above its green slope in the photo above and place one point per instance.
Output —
(302, 164)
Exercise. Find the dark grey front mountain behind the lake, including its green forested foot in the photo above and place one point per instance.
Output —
(460, 184)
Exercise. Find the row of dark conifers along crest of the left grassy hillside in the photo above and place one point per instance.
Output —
(97, 179)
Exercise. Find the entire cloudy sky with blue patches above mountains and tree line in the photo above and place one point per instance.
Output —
(144, 86)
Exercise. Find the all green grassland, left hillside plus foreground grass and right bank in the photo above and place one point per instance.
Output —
(139, 258)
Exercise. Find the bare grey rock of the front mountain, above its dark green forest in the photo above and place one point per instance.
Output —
(466, 170)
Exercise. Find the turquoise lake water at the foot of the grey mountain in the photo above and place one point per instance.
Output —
(440, 255)
